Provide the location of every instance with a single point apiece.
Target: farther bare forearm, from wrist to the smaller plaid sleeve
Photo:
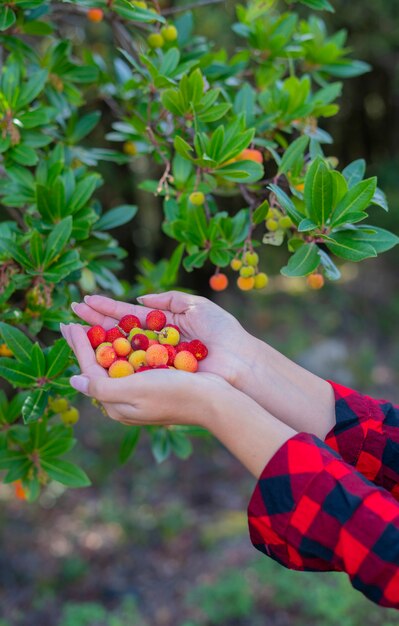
(288, 391)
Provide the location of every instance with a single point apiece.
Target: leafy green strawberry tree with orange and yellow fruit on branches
(211, 125)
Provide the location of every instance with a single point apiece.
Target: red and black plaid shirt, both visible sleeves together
(333, 505)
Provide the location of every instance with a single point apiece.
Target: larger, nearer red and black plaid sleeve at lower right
(312, 511)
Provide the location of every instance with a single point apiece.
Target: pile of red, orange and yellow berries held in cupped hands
(128, 348)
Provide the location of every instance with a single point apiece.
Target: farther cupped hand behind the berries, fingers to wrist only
(230, 349)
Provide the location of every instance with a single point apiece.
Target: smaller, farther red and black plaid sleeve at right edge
(366, 435)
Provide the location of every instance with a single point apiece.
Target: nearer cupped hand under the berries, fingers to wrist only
(154, 397)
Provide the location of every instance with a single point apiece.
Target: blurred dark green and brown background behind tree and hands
(167, 545)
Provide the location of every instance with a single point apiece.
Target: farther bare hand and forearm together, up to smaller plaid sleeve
(295, 396)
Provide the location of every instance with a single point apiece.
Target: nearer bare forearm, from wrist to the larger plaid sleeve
(251, 434)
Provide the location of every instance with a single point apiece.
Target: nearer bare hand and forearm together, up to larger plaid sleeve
(166, 397)
